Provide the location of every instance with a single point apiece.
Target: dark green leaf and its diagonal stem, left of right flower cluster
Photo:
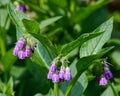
(82, 65)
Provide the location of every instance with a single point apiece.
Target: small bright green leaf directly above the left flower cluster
(31, 25)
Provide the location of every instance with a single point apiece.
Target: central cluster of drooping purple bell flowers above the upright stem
(59, 75)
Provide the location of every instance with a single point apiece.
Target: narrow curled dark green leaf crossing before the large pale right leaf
(67, 48)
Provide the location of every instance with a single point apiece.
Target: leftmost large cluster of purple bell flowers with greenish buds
(22, 49)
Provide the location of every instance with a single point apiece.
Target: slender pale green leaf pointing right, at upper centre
(47, 22)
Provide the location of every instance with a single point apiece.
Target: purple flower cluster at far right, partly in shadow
(107, 74)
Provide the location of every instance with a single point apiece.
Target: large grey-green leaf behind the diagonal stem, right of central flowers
(81, 83)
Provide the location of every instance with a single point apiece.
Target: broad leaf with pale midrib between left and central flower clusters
(43, 57)
